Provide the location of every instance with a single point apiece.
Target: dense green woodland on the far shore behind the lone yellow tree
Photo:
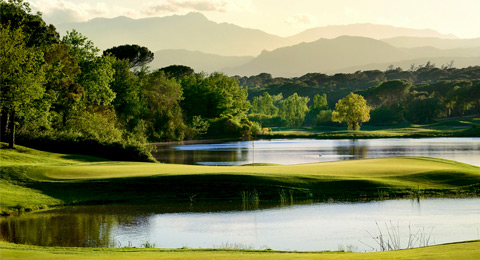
(419, 95)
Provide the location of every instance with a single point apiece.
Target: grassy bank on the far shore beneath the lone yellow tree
(445, 128)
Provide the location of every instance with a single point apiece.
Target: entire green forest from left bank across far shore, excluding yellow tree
(64, 94)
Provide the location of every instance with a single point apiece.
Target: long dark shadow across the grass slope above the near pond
(207, 187)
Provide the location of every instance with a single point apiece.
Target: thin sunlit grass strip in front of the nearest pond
(465, 250)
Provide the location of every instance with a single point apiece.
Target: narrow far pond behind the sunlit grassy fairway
(296, 151)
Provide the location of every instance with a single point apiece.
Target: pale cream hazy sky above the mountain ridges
(282, 17)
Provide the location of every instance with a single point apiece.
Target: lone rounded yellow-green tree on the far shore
(353, 109)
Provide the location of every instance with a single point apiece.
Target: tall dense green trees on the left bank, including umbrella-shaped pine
(62, 92)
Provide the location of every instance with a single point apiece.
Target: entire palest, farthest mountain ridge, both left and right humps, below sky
(195, 32)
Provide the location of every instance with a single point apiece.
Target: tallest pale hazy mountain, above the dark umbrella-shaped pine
(190, 32)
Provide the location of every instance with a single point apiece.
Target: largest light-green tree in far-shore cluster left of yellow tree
(294, 109)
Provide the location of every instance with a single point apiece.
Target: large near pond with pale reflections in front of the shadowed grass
(313, 226)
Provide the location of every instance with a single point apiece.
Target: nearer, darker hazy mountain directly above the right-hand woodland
(335, 55)
